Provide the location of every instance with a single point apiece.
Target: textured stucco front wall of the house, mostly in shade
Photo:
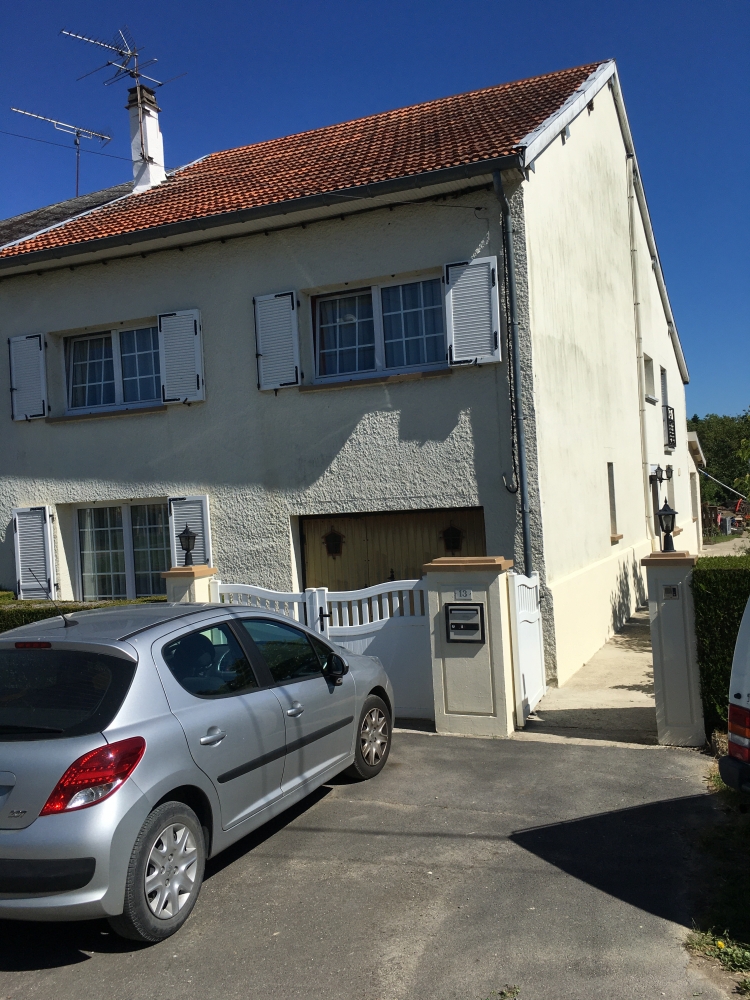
(263, 458)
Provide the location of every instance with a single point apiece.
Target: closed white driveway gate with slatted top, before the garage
(389, 621)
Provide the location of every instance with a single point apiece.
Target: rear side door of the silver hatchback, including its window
(235, 729)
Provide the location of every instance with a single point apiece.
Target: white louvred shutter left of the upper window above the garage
(277, 340)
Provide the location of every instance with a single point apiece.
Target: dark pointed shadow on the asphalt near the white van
(637, 855)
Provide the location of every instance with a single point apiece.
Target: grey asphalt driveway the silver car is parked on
(467, 865)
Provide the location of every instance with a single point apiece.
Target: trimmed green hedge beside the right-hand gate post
(721, 589)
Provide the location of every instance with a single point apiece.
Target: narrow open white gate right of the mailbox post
(527, 641)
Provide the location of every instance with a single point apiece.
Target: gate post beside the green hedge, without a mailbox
(679, 710)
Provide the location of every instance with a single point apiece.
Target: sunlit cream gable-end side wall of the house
(586, 380)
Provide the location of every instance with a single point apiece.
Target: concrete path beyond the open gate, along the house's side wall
(610, 698)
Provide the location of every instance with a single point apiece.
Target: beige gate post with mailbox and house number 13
(472, 663)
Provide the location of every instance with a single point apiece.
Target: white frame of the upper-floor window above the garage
(375, 288)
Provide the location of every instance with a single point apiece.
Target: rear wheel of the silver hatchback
(164, 875)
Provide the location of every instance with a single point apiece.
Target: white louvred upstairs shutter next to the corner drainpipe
(473, 311)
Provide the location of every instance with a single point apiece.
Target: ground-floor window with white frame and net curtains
(124, 549)
